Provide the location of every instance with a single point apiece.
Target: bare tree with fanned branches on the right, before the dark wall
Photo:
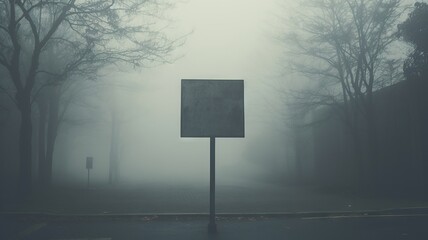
(343, 47)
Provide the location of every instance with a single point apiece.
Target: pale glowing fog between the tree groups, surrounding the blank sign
(226, 40)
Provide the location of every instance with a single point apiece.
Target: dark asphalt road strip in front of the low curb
(299, 228)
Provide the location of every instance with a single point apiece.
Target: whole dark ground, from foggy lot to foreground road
(124, 213)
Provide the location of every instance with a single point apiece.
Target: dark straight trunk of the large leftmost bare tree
(25, 147)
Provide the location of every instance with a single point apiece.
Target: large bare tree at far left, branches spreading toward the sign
(103, 32)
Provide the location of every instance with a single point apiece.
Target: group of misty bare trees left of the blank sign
(51, 51)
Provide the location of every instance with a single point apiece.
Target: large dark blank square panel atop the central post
(212, 108)
